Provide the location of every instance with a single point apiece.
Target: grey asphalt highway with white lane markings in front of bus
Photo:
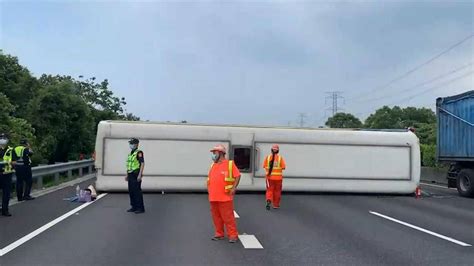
(309, 229)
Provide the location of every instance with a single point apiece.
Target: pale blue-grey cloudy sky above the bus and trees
(250, 62)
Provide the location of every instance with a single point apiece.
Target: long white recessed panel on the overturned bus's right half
(333, 161)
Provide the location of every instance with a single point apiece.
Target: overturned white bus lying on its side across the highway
(177, 157)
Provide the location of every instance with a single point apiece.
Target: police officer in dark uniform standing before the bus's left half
(135, 166)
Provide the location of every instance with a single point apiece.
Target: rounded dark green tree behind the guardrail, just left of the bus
(63, 122)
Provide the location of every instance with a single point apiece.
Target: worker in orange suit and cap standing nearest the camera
(222, 183)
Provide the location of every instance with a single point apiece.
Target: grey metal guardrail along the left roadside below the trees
(57, 169)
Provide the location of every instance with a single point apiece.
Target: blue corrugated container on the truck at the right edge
(455, 127)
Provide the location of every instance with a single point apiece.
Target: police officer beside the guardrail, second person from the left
(23, 171)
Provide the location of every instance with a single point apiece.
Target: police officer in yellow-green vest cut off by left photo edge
(8, 159)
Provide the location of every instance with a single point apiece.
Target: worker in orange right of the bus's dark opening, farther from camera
(274, 165)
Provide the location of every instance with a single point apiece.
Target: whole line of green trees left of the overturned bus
(57, 114)
